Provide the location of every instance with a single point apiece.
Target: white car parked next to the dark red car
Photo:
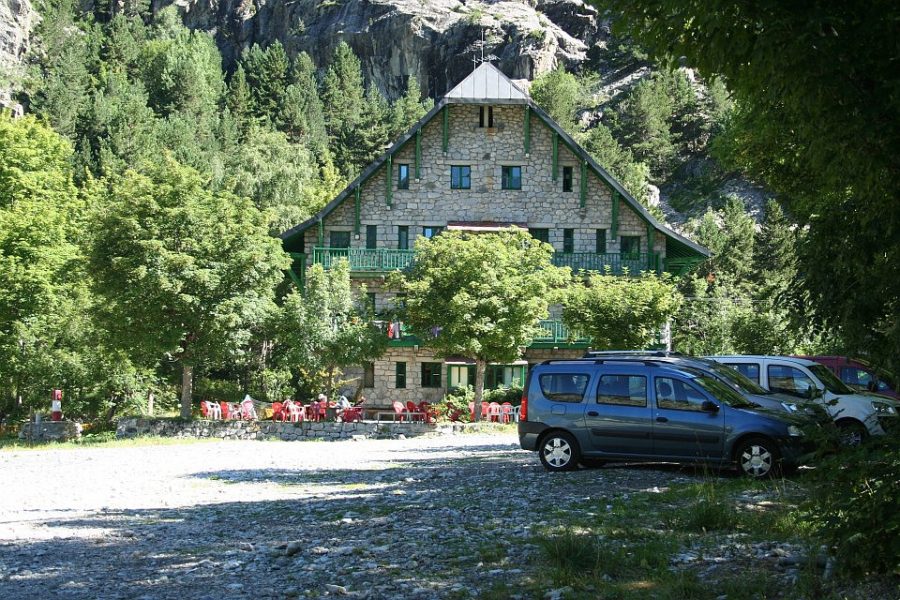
(858, 415)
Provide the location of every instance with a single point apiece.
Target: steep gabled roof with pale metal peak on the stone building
(467, 92)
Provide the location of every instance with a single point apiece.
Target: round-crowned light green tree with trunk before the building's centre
(479, 295)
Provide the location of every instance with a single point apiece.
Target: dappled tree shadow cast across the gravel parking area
(410, 529)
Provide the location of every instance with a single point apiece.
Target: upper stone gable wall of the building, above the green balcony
(430, 201)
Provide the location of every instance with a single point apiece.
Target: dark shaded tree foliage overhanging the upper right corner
(816, 91)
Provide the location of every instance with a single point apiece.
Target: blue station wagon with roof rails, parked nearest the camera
(631, 409)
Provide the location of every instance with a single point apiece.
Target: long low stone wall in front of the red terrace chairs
(269, 430)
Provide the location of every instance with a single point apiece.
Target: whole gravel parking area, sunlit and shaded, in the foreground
(429, 517)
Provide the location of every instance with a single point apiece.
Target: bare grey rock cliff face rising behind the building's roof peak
(435, 40)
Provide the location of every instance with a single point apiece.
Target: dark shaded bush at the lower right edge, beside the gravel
(853, 503)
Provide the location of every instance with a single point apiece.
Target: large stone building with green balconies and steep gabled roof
(485, 157)
